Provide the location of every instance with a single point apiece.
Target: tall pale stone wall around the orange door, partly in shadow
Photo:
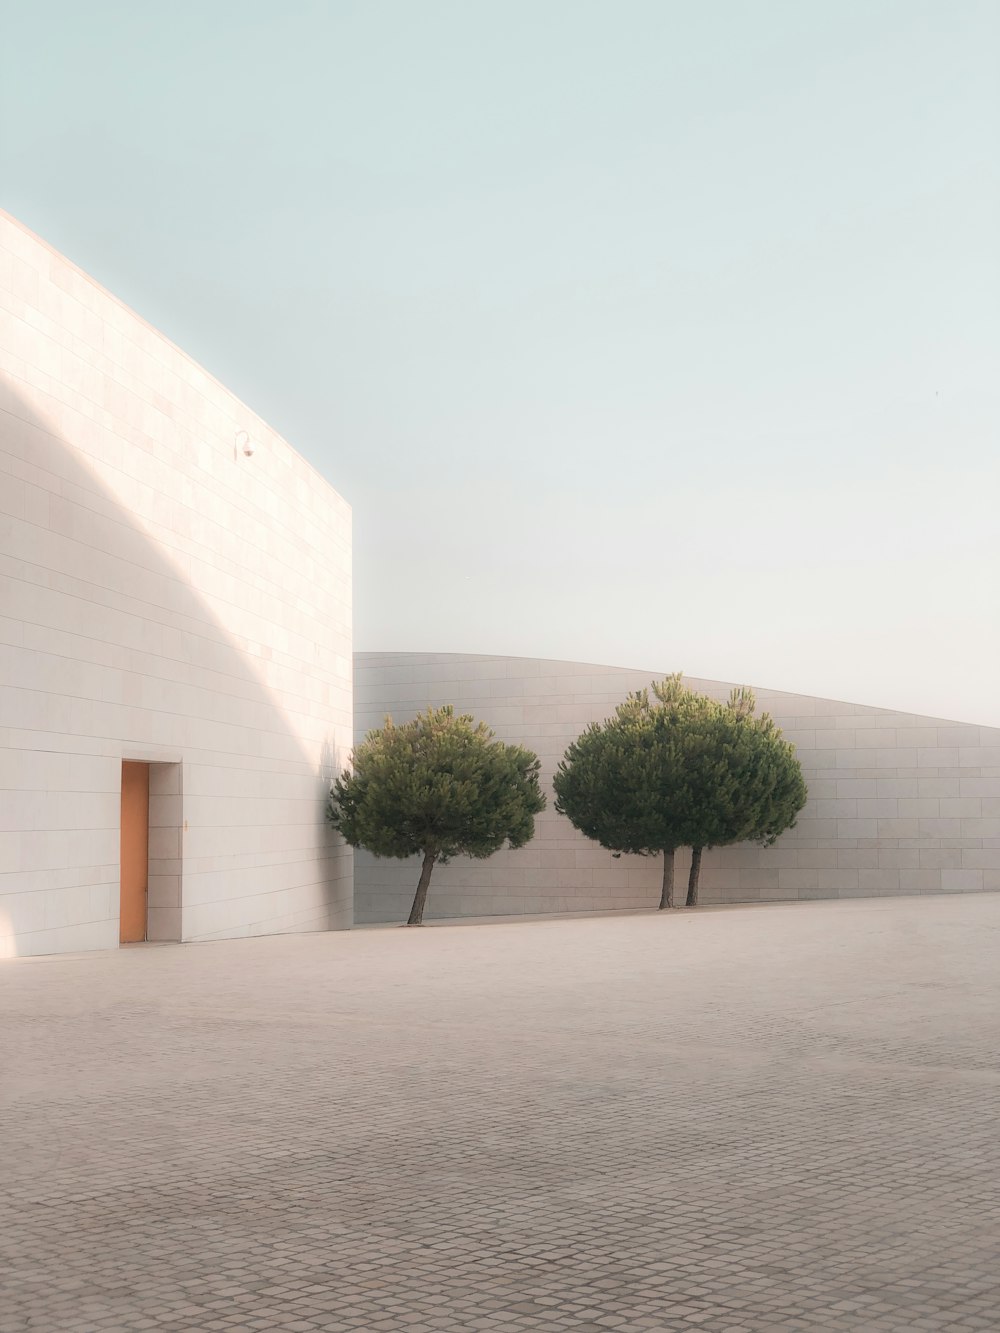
(165, 599)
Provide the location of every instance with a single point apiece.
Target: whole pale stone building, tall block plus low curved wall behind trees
(177, 683)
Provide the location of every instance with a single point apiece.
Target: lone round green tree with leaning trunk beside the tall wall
(441, 787)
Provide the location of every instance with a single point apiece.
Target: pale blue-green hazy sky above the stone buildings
(654, 334)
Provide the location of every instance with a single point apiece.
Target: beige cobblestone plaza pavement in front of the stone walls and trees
(733, 1122)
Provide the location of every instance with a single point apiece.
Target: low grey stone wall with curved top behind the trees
(898, 804)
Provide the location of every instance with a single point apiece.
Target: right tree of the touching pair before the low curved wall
(746, 783)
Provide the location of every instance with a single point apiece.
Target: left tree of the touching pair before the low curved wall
(627, 783)
